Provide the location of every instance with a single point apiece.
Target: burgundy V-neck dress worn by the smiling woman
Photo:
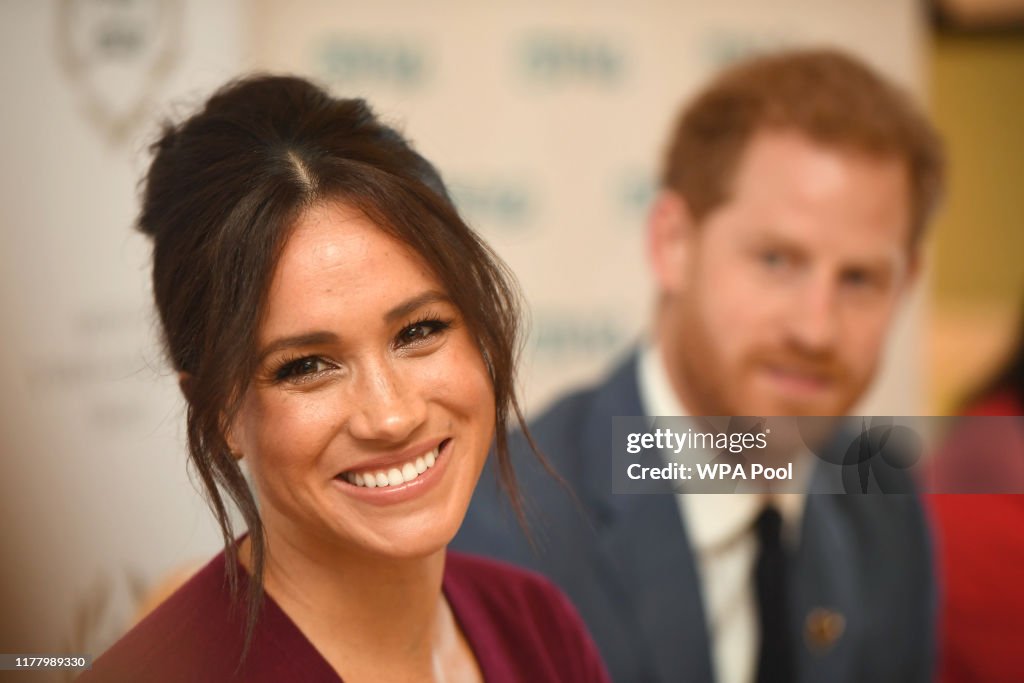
(520, 626)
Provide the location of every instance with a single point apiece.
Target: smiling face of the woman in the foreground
(372, 410)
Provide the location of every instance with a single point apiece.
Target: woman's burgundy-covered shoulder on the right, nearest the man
(521, 625)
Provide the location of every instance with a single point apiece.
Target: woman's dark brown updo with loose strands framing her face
(221, 198)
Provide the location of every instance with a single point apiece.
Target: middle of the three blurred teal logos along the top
(563, 59)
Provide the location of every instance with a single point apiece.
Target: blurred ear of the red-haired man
(670, 238)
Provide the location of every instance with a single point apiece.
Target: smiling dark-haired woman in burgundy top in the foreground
(340, 332)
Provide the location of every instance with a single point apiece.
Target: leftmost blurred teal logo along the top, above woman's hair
(348, 60)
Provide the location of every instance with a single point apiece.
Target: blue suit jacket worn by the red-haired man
(628, 566)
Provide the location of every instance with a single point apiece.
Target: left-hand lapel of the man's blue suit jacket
(648, 556)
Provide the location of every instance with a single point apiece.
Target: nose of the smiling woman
(388, 405)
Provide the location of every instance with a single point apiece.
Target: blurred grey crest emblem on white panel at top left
(117, 54)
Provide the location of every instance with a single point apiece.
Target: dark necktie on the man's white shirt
(776, 658)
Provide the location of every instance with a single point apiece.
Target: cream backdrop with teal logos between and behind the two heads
(548, 120)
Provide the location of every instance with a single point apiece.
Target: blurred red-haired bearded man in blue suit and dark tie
(794, 199)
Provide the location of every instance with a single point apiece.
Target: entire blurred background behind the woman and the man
(547, 119)
